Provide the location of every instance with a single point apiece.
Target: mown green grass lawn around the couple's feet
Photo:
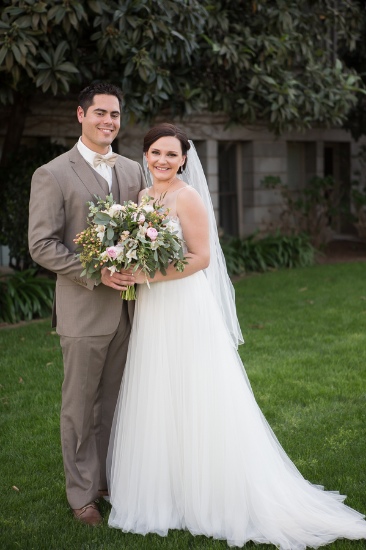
(305, 355)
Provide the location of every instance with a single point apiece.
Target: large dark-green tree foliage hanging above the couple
(282, 63)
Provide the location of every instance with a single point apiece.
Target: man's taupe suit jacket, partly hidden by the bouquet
(58, 211)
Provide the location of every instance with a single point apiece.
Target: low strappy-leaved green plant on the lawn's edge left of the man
(23, 296)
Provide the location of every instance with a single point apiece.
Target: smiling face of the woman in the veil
(164, 158)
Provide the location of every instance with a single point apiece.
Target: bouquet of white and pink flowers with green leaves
(128, 236)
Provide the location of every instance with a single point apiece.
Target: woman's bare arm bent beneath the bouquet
(193, 218)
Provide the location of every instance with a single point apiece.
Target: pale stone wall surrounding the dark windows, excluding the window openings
(259, 153)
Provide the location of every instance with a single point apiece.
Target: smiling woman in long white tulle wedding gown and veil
(190, 448)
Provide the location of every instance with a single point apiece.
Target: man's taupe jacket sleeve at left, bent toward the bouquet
(47, 227)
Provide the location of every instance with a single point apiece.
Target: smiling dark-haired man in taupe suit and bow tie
(92, 321)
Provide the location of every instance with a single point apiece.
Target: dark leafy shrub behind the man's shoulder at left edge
(14, 199)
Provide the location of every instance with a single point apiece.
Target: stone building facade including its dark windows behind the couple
(235, 159)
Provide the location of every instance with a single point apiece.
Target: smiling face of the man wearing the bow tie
(100, 123)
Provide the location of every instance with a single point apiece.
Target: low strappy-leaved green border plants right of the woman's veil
(270, 252)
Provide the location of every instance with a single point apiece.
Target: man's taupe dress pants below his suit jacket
(93, 368)
